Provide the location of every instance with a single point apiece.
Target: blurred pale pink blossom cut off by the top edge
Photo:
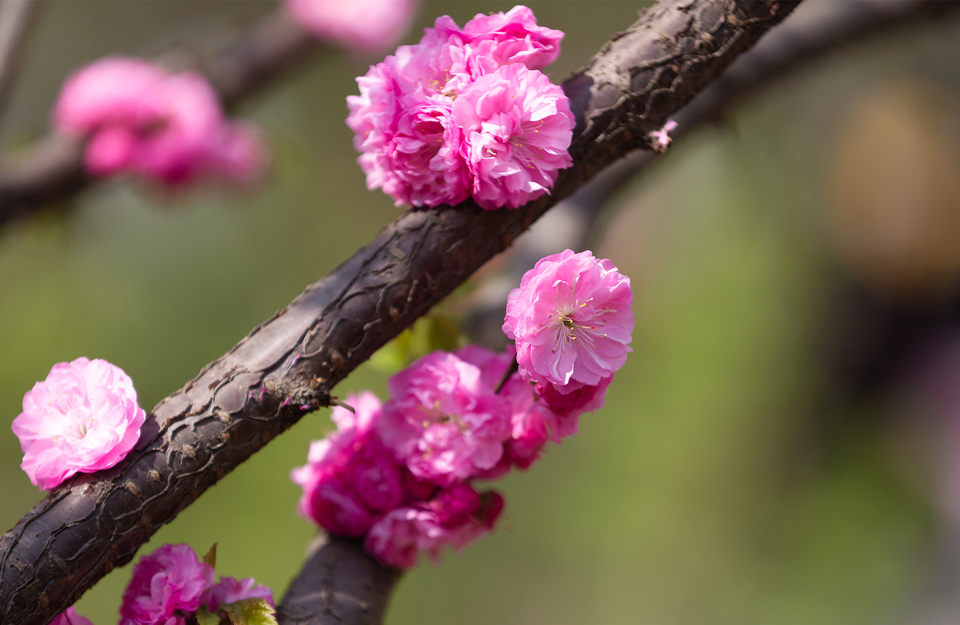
(364, 25)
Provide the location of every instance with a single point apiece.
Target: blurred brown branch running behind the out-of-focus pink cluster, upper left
(52, 170)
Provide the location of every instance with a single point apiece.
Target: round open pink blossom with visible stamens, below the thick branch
(571, 319)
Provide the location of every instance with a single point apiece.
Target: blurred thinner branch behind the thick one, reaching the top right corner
(814, 31)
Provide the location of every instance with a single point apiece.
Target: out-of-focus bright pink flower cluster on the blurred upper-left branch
(165, 127)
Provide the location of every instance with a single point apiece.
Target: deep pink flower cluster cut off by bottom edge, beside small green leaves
(170, 585)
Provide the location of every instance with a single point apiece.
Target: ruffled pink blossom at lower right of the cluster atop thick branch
(517, 127)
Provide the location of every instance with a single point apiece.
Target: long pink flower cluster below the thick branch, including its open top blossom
(401, 473)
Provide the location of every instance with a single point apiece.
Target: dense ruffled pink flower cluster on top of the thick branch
(464, 112)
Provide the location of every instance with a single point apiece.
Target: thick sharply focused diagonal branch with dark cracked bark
(287, 365)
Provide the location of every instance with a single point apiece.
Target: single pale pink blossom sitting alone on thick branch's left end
(83, 418)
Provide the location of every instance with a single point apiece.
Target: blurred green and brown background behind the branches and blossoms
(778, 449)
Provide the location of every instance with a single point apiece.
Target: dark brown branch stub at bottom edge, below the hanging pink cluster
(339, 583)
